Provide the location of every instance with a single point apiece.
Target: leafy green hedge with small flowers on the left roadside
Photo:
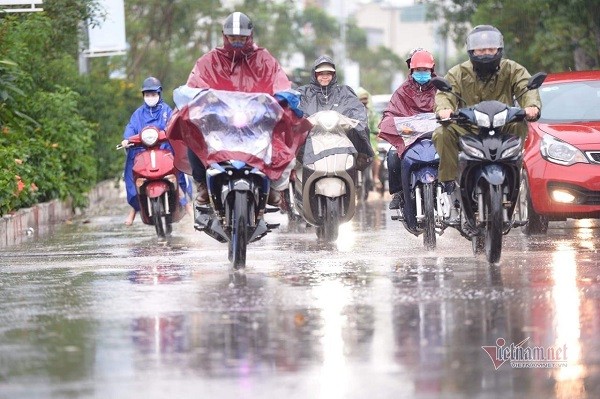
(57, 129)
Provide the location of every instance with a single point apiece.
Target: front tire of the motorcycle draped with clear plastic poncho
(239, 227)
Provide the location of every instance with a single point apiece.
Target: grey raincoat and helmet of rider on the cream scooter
(340, 98)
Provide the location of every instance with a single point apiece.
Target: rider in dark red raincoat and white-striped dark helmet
(241, 65)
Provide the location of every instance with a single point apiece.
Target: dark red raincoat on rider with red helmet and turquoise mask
(409, 99)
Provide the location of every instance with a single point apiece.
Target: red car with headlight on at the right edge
(561, 166)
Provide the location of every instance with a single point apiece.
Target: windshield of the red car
(570, 102)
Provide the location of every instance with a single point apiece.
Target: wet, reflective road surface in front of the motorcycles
(103, 311)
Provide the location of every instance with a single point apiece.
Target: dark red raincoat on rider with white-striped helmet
(248, 69)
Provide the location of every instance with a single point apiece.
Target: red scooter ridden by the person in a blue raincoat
(156, 181)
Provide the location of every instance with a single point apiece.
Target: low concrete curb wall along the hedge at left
(28, 223)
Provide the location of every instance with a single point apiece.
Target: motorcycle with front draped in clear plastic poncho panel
(232, 132)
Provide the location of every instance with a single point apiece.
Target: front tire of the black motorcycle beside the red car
(494, 223)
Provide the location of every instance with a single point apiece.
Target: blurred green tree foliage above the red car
(553, 35)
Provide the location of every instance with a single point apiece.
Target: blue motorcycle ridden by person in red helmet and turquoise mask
(421, 211)
